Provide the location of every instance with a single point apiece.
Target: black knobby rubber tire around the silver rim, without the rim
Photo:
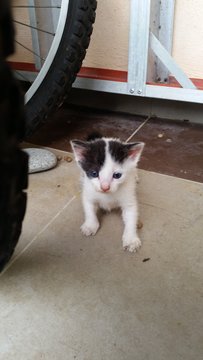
(65, 65)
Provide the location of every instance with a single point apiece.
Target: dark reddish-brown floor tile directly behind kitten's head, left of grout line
(77, 123)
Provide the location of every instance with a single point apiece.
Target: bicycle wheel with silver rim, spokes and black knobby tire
(63, 61)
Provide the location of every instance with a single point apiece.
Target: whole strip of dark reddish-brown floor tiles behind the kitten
(172, 147)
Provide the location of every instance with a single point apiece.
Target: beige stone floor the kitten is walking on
(67, 297)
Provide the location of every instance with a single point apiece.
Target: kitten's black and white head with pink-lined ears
(106, 161)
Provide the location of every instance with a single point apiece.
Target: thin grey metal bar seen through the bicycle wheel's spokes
(34, 33)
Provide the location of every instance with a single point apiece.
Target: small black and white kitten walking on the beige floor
(109, 181)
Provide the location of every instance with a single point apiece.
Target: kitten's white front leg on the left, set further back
(91, 224)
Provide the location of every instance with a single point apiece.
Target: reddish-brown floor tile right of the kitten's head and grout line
(173, 148)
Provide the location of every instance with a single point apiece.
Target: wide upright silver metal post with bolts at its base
(138, 46)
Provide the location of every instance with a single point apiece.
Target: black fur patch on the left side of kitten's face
(94, 156)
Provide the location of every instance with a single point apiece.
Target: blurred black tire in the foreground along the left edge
(13, 161)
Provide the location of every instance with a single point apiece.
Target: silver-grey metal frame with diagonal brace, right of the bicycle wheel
(148, 40)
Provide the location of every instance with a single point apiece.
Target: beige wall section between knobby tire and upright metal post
(109, 43)
